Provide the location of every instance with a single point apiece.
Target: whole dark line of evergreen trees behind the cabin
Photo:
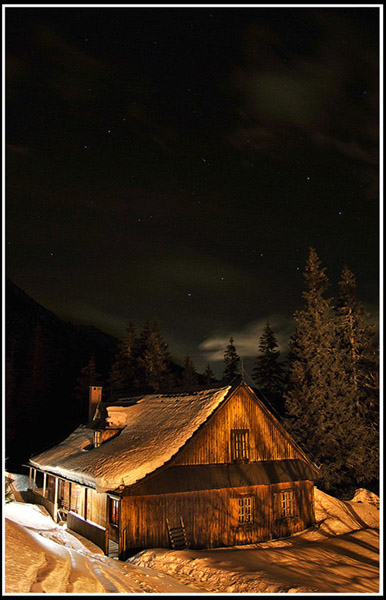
(326, 392)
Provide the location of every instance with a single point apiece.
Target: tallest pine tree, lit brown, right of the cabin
(316, 412)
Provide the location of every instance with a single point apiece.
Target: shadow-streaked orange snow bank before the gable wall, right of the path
(339, 555)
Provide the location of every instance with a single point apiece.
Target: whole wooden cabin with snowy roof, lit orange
(202, 469)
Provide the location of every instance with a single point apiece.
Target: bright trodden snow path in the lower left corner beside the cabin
(36, 564)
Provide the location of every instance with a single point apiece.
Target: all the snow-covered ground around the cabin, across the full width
(338, 555)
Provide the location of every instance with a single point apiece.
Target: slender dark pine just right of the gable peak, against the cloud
(268, 372)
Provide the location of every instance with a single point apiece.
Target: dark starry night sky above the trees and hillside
(180, 162)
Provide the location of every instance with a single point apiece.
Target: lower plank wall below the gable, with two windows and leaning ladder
(211, 517)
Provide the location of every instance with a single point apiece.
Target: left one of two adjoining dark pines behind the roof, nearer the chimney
(122, 377)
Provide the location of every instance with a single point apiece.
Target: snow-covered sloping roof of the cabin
(155, 427)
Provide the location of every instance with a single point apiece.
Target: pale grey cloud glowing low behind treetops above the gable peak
(247, 339)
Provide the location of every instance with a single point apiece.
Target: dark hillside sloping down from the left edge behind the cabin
(44, 357)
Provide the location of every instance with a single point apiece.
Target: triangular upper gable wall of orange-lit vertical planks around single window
(212, 444)
